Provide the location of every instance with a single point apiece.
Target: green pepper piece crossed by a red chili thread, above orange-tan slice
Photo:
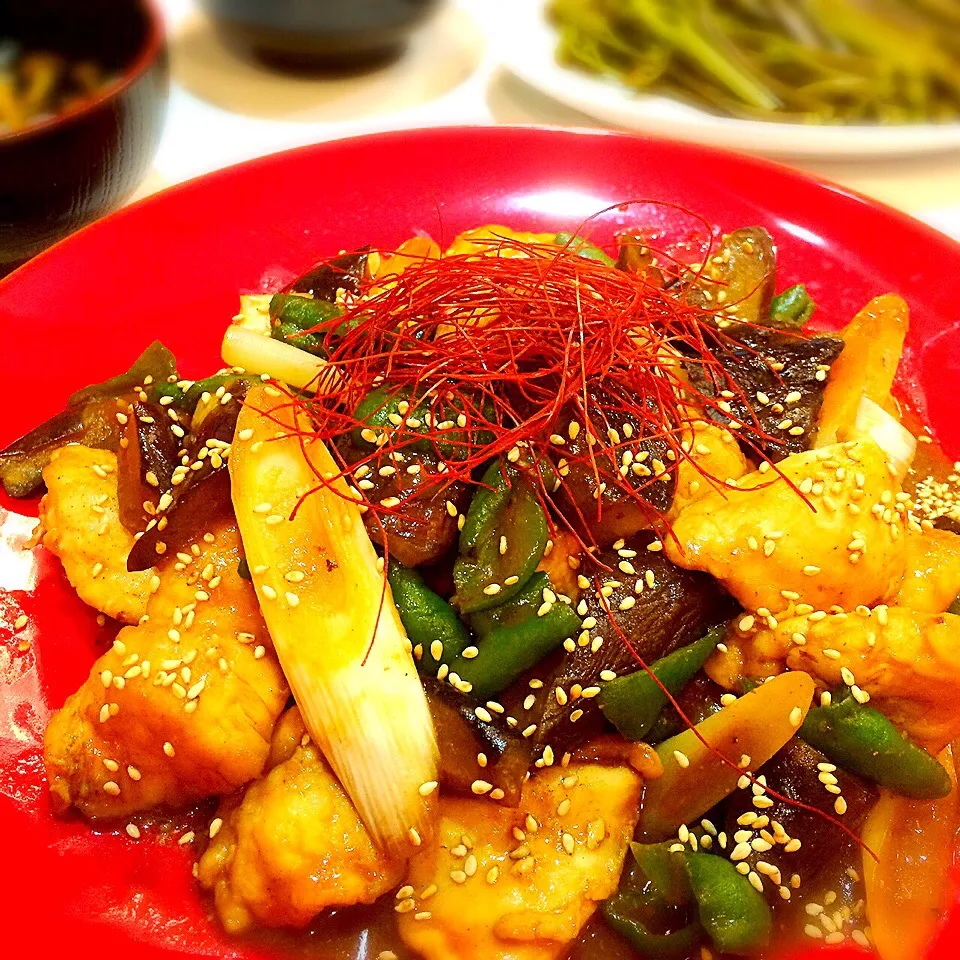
(633, 702)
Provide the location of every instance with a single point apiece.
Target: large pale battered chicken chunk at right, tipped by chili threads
(827, 529)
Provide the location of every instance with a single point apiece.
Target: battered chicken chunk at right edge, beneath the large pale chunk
(906, 661)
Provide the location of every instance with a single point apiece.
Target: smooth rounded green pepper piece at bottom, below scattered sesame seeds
(734, 915)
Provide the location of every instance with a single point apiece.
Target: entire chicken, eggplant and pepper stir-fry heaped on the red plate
(526, 600)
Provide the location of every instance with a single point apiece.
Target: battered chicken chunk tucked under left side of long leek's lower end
(293, 845)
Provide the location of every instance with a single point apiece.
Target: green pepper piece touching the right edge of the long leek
(426, 617)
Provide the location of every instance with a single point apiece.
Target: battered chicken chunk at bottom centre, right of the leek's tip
(520, 884)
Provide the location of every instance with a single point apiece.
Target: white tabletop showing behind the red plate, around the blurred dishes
(225, 108)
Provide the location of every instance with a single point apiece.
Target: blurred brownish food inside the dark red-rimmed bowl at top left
(35, 85)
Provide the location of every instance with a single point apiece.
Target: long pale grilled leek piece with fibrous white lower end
(332, 618)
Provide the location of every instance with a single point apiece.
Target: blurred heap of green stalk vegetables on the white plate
(813, 61)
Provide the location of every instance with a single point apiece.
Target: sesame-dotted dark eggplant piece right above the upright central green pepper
(629, 501)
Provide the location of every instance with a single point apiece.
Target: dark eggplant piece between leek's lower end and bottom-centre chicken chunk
(462, 736)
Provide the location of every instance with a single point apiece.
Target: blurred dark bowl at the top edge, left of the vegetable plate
(332, 33)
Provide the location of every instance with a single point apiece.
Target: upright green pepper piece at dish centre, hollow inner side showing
(503, 539)
